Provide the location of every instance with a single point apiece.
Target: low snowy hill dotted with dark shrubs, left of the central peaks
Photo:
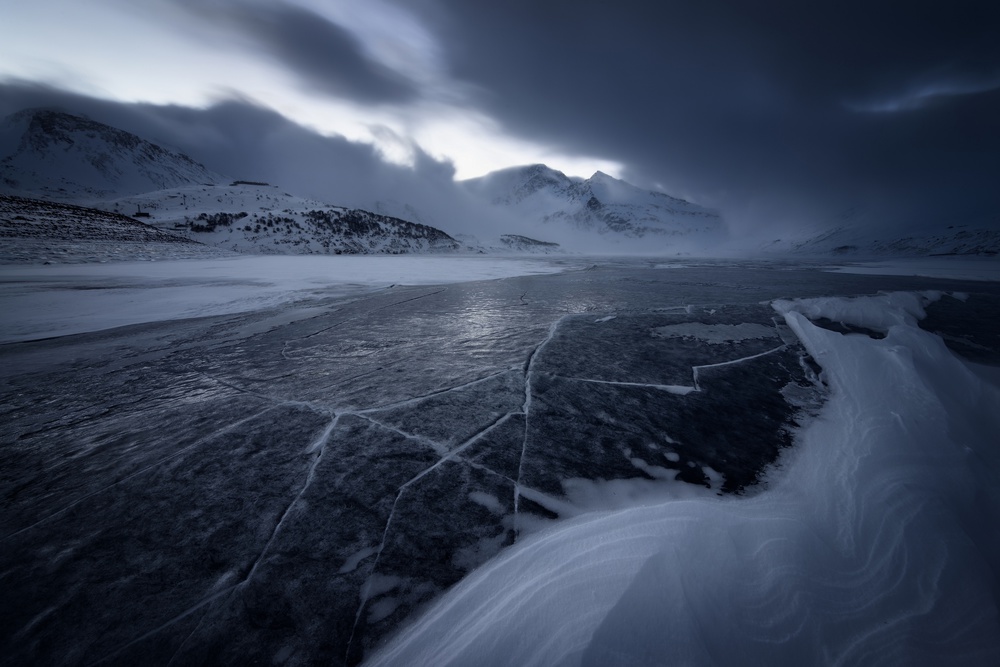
(257, 218)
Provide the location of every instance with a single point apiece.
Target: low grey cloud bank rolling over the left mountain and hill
(243, 140)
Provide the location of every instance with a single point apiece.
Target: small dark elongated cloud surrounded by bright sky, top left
(324, 55)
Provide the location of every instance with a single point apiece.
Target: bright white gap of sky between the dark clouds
(194, 54)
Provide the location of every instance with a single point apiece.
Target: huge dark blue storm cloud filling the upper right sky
(771, 110)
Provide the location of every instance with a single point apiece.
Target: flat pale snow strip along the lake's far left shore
(57, 300)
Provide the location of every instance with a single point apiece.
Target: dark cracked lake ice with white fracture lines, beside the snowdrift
(293, 489)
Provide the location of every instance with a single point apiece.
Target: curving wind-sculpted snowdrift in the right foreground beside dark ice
(875, 544)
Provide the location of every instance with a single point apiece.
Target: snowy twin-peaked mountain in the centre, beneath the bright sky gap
(600, 205)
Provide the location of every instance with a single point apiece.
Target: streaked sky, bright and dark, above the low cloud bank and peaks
(781, 114)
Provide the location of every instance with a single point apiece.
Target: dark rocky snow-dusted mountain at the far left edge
(57, 155)
